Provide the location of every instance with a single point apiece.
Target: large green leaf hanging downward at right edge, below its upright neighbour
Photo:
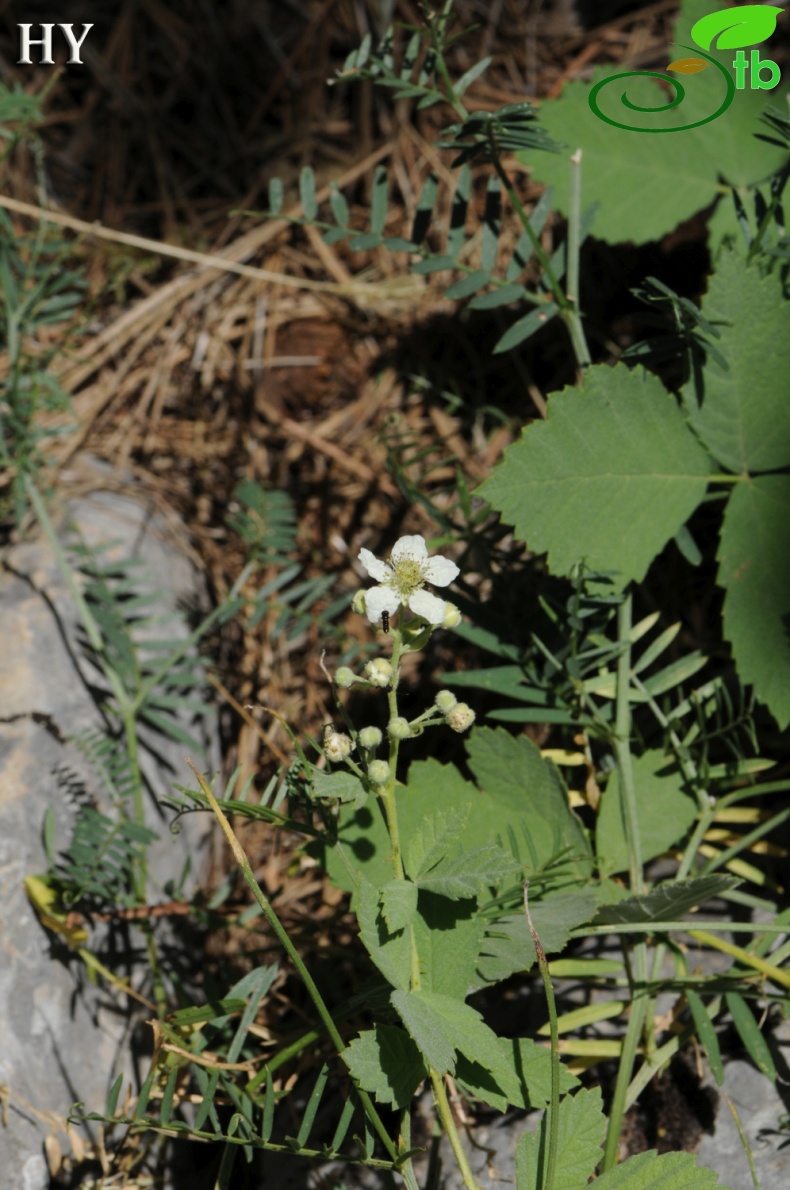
(755, 568)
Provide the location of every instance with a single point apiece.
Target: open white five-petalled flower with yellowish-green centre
(403, 579)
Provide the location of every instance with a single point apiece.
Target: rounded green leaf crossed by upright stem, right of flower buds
(666, 813)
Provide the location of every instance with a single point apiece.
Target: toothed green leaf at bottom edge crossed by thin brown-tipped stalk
(582, 1128)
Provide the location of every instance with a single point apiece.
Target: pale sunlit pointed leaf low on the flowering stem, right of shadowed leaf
(441, 1025)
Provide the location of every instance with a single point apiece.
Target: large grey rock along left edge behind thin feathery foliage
(62, 1038)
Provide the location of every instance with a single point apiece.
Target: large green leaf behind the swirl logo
(647, 184)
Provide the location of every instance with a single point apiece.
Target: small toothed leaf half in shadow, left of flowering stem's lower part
(386, 1062)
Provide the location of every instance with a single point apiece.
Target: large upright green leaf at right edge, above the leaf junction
(745, 415)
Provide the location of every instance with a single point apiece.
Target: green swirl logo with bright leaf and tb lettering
(747, 26)
